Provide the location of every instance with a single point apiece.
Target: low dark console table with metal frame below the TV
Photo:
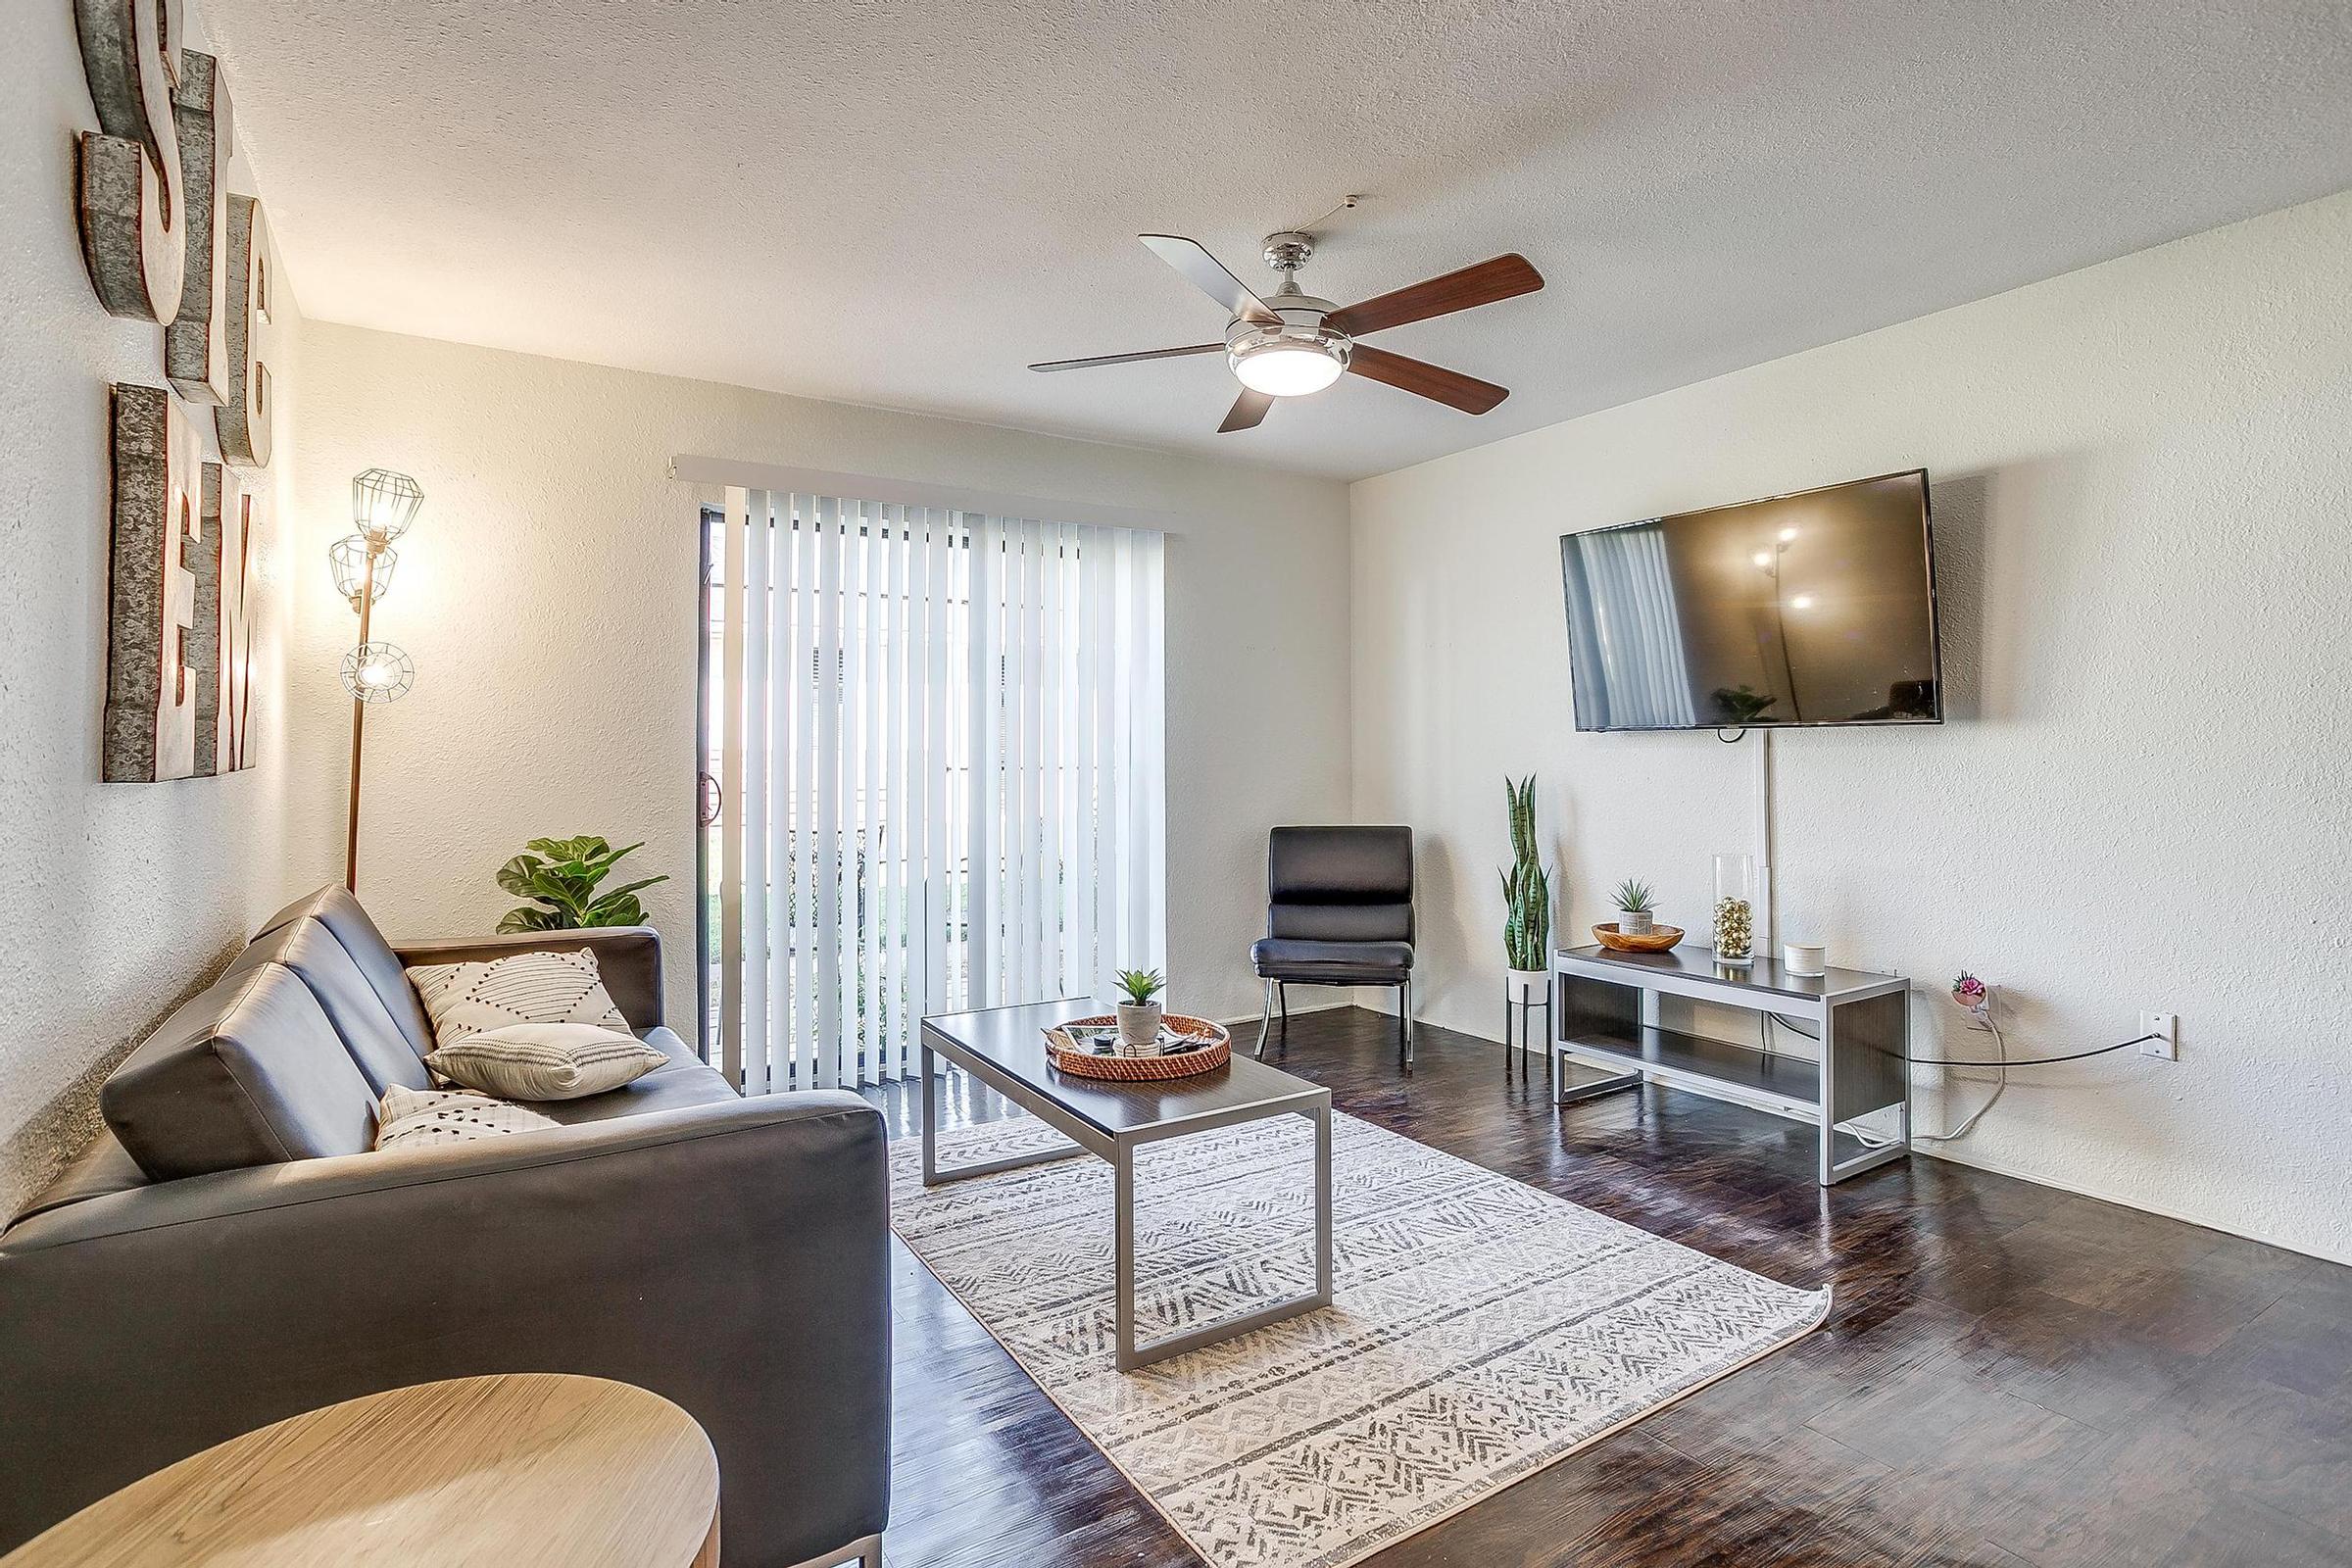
(1605, 1014)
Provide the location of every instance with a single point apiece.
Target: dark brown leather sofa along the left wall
(229, 1252)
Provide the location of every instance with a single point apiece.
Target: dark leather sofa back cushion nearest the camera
(248, 1073)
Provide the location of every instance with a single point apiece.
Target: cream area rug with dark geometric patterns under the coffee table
(1481, 1332)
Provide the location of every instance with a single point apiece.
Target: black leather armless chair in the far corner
(1339, 911)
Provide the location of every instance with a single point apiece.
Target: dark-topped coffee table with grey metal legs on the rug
(1005, 1050)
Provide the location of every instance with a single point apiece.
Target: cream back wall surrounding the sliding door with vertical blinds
(549, 598)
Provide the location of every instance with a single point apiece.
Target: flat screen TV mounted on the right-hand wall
(1793, 610)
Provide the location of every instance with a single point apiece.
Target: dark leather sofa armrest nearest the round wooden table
(733, 1259)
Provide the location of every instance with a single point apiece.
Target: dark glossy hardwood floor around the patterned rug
(2010, 1374)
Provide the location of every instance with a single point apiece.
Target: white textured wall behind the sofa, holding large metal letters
(121, 897)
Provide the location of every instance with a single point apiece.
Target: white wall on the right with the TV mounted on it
(2144, 502)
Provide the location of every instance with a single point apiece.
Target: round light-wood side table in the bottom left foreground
(476, 1473)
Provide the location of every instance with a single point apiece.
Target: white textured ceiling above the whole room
(907, 203)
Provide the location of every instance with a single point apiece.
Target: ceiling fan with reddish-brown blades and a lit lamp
(1299, 344)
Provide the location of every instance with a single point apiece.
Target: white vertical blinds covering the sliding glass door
(942, 782)
